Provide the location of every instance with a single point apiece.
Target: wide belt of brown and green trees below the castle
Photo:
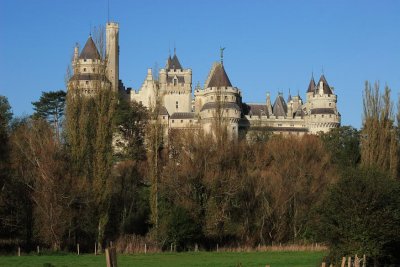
(105, 172)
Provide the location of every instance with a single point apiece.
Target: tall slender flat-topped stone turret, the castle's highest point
(112, 54)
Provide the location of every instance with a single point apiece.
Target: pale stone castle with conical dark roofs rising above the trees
(181, 108)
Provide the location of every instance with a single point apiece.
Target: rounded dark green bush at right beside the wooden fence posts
(361, 215)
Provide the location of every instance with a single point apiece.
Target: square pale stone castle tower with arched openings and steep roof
(175, 85)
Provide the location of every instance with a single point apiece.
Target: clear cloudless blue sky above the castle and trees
(270, 45)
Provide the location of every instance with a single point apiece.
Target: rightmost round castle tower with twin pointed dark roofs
(322, 113)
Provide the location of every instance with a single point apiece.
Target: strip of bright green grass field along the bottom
(221, 259)
